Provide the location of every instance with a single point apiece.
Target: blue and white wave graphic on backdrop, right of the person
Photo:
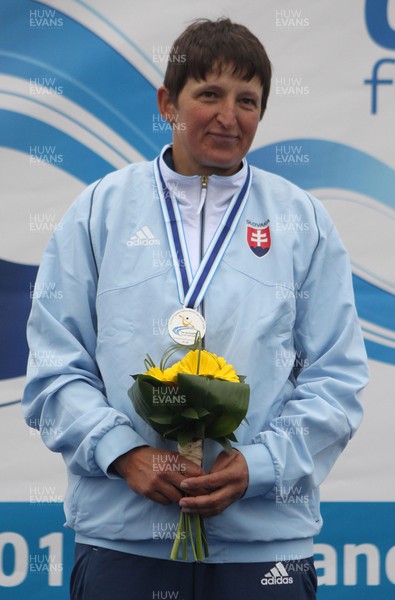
(357, 180)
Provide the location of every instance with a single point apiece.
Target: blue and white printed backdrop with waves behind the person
(77, 100)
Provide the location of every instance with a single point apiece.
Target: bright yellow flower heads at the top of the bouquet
(209, 365)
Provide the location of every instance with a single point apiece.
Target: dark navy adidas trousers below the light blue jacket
(101, 574)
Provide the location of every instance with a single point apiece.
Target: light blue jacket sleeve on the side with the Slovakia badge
(323, 409)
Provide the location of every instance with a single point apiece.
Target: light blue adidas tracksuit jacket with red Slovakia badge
(286, 320)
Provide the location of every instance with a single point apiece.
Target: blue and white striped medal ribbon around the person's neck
(192, 290)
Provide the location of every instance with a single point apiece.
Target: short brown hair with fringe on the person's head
(206, 45)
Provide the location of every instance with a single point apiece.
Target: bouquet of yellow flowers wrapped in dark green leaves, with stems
(198, 397)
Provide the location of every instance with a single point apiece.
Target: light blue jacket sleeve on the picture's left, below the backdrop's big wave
(64, 396)
